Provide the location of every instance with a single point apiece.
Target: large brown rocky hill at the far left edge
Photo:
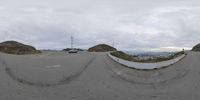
(13, 47)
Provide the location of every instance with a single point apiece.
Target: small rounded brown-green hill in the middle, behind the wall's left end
(102, 48)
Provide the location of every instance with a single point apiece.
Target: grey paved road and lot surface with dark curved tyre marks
(94, 76)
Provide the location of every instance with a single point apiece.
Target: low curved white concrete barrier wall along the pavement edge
(146, 66)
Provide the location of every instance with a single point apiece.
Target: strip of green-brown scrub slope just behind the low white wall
(134, 58)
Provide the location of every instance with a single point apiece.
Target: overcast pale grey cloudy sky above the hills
(129, 24)
